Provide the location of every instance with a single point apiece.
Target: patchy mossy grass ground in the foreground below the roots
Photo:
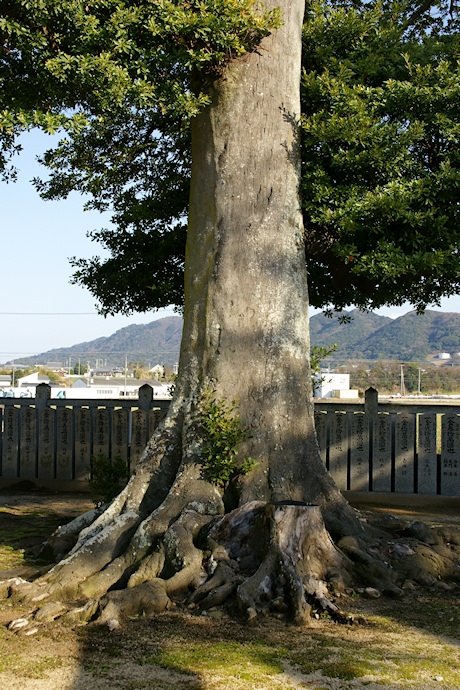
(175, 651)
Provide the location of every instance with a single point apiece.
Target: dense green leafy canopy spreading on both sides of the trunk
(380, 127)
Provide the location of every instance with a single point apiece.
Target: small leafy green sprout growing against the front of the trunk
(223, 432)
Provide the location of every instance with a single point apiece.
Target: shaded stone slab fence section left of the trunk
(52, 442)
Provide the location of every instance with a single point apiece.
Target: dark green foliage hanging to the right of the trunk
(381, 166)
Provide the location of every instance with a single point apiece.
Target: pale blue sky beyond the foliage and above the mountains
(40, 309)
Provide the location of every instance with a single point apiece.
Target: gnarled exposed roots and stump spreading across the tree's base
(262, 558)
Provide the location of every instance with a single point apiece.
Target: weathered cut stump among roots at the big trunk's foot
(293, 559)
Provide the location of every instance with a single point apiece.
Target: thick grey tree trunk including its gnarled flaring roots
(245, 336)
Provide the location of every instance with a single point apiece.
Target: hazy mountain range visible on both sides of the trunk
(411, 337)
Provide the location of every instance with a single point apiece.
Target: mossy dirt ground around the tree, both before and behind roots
(408, 643)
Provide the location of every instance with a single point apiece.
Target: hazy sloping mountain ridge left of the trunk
(157, 342)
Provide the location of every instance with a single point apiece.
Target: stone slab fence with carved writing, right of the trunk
(392, 446)
